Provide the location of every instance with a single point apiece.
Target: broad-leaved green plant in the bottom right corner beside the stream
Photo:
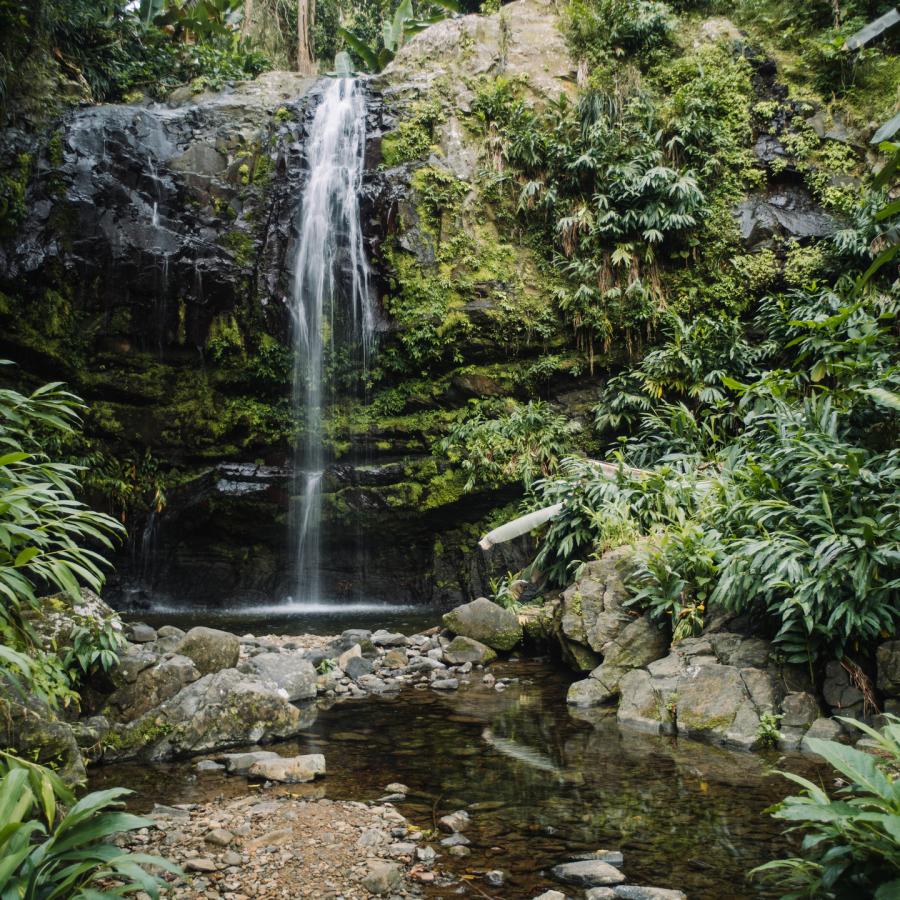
(851, 845)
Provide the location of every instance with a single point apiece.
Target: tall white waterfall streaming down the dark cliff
(331, 302)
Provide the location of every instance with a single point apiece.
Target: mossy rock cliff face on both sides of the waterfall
(146, 261)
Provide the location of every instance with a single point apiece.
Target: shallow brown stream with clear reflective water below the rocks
(541, 782)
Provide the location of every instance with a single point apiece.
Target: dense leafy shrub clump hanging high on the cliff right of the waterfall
(596, 189)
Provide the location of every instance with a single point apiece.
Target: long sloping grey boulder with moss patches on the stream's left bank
(220, 710)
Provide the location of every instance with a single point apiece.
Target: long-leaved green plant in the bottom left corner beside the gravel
(54, 846)
